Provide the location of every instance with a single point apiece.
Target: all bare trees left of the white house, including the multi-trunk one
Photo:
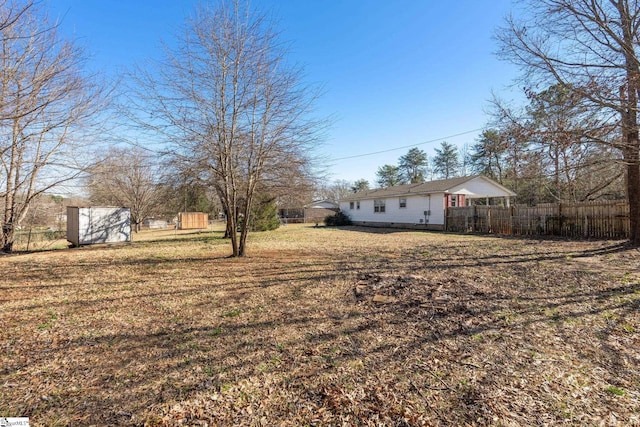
(230, 117)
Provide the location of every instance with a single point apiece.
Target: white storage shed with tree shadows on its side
(90, 225)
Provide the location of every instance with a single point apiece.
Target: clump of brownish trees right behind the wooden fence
(545, 150)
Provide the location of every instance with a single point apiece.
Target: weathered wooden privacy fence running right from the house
(600, 219)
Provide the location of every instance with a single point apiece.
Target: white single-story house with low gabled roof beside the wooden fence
(420, 205)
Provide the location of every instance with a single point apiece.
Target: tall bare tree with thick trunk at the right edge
(588, 46)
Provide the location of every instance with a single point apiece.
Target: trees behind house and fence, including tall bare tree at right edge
(576, 137)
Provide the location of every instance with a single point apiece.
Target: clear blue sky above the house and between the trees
(396, 73)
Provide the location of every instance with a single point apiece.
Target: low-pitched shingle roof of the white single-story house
(439, 186)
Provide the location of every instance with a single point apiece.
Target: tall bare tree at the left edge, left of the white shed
(46, 103)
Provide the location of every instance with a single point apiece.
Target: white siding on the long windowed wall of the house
(412, 214)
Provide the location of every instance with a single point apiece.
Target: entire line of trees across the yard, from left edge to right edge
(231, 120)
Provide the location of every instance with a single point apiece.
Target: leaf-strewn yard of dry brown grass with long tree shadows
(323, 326)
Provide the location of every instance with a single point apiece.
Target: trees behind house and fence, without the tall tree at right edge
(552, 149)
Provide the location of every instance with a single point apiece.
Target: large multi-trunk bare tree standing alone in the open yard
(231, 105)
